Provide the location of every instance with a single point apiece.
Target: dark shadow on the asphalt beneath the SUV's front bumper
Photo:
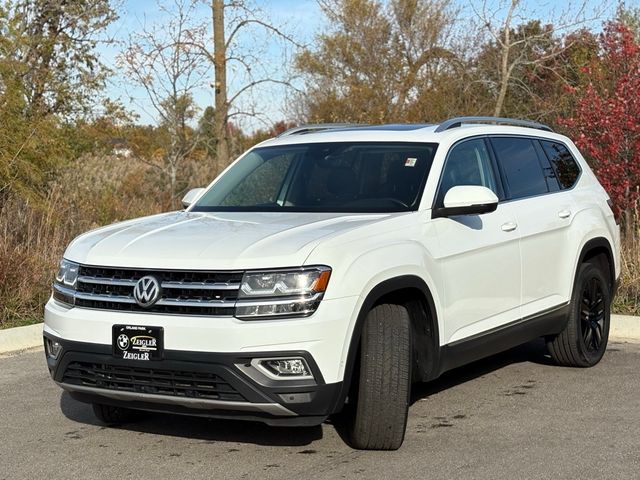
(208, 430)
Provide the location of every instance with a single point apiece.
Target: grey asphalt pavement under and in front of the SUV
(512, 416)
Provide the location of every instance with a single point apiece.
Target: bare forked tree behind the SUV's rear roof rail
(518, 50)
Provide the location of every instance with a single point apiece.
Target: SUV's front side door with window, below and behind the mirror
(479, 254)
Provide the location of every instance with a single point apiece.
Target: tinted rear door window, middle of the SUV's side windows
(520, 165)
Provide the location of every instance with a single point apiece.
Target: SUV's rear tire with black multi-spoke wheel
(584, 340)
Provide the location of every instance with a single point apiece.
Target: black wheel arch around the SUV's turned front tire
(414, 293)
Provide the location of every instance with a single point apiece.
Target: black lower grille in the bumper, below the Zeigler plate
(172, 383)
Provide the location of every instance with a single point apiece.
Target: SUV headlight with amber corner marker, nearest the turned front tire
(282, 293)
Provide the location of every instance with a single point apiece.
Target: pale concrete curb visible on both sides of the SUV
(623, 327)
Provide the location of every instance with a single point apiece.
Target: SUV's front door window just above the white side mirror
(468, 163)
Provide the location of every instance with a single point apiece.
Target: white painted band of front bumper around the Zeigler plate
(324, 334)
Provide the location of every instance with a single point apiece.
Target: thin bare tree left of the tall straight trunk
(161, 59)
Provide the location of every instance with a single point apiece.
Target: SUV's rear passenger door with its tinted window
(544, 210)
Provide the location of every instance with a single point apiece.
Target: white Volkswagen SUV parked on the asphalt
(328, 269)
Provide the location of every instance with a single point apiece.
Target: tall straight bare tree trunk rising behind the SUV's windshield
(220, 87)
